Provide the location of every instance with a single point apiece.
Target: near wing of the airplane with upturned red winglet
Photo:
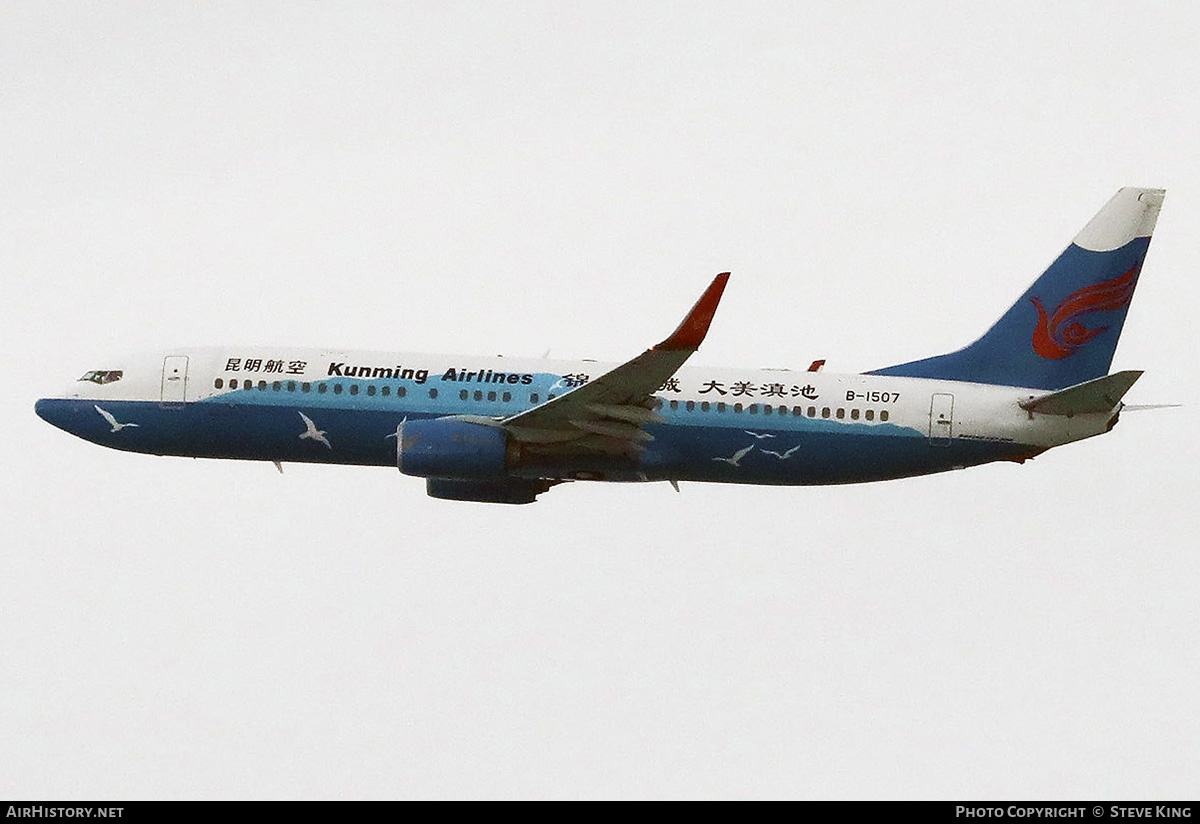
(607, 414)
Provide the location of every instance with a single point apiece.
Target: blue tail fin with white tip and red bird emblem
(1065, 329)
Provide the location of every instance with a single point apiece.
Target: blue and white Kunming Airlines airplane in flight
(500, 430)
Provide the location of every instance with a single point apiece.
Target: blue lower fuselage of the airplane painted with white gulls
(725, 447)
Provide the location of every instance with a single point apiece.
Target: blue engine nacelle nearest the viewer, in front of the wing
(452, 449)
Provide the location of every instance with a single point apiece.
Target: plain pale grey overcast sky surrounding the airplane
(883, 179)
